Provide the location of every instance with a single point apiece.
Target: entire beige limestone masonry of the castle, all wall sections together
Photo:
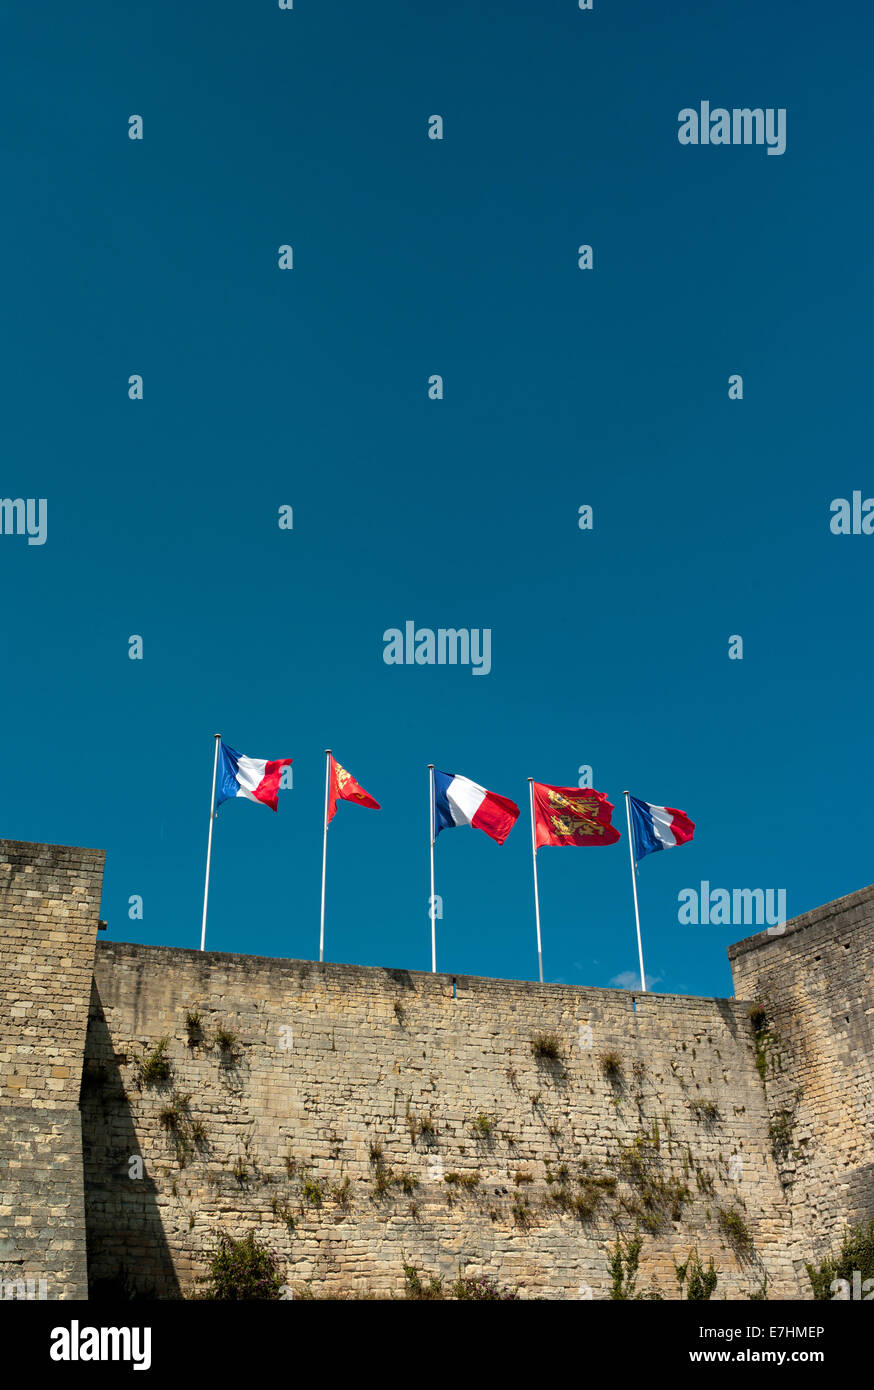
(356, 1118)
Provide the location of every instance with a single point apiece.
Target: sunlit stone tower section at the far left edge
(49, 910)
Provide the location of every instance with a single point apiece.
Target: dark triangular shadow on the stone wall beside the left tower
(127, 1250)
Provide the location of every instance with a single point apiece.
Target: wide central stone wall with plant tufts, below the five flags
(361, 1117)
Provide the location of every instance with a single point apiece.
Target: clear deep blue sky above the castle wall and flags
(562, 387)
